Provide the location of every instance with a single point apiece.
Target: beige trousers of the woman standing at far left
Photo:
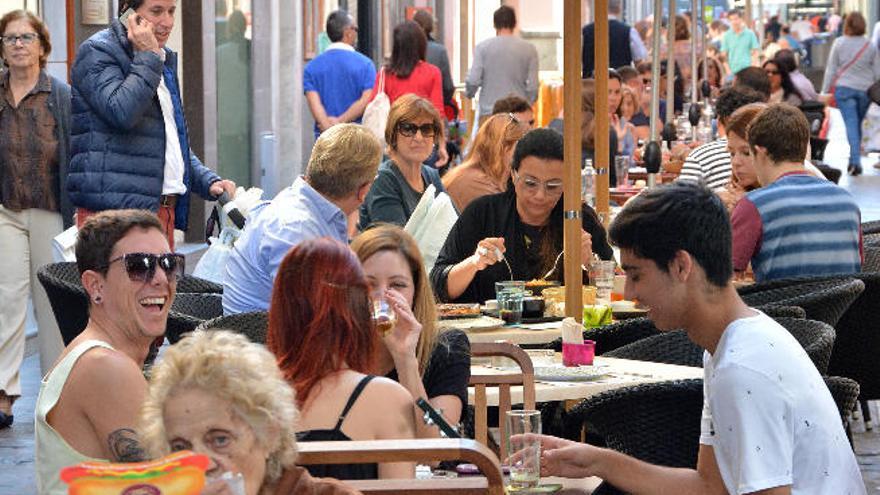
(25, 245)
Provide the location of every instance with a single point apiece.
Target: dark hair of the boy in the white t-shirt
(680, 216)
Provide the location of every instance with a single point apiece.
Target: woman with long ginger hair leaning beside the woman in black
(486, 170)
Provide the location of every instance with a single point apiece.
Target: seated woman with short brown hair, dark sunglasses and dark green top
(414, 128)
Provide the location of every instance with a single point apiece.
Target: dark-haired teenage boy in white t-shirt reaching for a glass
(769, 423)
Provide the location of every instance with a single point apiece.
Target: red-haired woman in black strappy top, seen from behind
(321, 331)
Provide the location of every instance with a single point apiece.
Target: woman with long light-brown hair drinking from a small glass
(431, 363)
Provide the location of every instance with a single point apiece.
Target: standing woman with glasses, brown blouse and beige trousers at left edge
(34, 129)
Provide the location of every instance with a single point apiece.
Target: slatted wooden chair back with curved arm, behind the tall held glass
(525, 378)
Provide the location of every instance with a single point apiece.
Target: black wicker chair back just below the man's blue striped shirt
(824, 299)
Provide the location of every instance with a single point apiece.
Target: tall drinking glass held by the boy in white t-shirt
(524, 452)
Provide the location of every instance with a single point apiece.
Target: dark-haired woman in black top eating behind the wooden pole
(515, 235)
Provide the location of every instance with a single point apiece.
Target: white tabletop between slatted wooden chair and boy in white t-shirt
(621, 373)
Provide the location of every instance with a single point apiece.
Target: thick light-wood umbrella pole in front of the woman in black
(572, 151)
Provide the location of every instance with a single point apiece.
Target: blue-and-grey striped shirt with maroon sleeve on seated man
(797, 226)
